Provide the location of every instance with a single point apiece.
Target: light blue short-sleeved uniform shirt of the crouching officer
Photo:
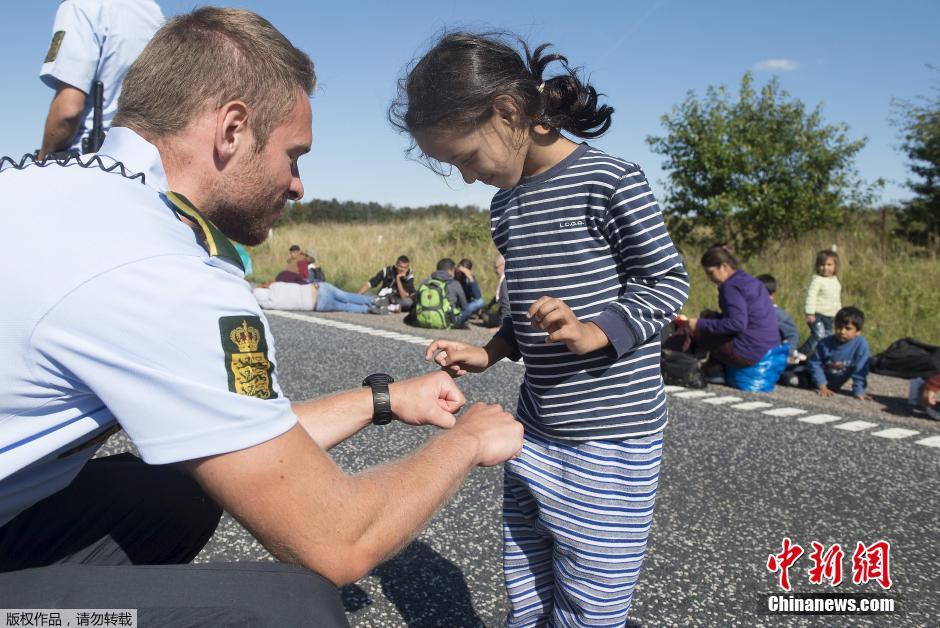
(115, 313)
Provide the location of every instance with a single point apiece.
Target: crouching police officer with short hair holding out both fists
(153, 329)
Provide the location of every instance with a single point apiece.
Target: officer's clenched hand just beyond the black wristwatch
(431, 399)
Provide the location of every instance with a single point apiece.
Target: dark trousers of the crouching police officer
(121, 535)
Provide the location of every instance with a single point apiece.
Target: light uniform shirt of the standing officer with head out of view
(98, 40)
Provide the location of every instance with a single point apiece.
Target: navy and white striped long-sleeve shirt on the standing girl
(588, 231)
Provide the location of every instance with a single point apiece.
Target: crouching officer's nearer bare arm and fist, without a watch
(304, 509)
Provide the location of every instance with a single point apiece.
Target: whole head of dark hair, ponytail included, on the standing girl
(456, 84)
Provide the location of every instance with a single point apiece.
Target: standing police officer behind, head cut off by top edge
(92, 40)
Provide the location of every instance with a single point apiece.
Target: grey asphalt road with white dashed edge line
(735, 482)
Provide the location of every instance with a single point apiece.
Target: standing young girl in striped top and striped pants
(592, 276)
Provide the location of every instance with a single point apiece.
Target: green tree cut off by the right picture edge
(919, 123)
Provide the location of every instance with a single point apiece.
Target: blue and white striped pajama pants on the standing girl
(576, 518)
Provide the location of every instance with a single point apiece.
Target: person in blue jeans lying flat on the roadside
(313, 297)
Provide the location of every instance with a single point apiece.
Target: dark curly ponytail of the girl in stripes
(567, 103)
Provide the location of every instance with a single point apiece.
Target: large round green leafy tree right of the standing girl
(755, 170)
